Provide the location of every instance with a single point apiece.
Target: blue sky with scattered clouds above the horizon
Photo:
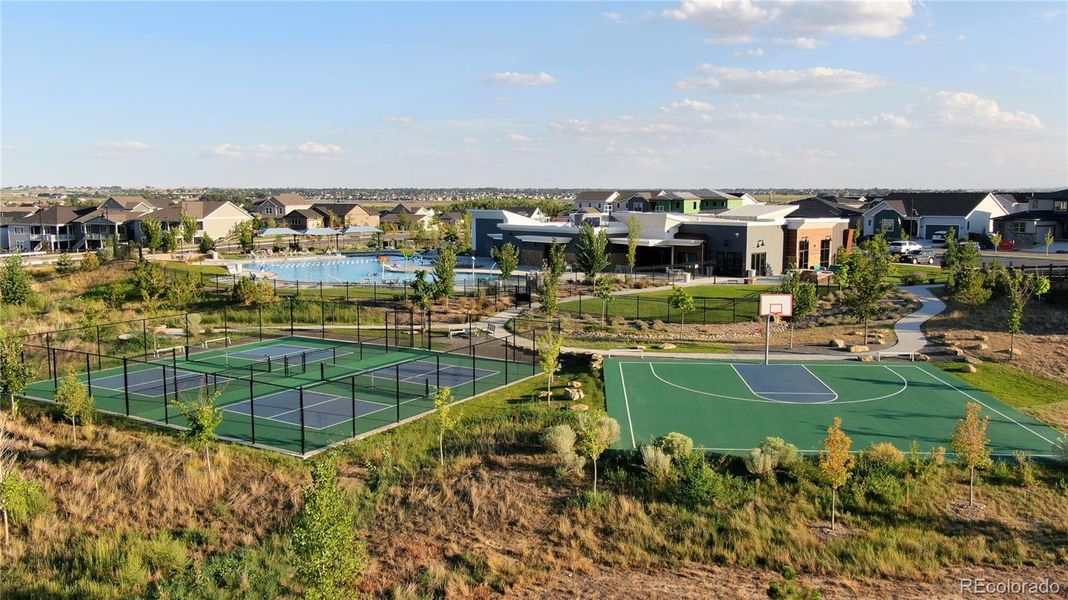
(596, 94)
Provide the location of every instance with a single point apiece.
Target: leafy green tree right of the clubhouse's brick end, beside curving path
(865, 274)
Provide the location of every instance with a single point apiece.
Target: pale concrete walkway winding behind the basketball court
(909, 331)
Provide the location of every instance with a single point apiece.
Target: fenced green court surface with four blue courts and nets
(311, 394)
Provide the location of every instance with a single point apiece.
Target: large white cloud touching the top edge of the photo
(833, 18)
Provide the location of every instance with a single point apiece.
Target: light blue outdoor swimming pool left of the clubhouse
(353, 270)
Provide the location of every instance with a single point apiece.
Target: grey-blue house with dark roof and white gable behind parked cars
(921, 215)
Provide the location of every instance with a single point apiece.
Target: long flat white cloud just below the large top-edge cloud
(813, 81)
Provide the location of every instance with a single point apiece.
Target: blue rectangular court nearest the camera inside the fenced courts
(321, 410)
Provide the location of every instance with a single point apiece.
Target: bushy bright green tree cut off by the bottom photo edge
(329, 558)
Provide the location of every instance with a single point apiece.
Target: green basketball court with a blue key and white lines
(732, 408)
